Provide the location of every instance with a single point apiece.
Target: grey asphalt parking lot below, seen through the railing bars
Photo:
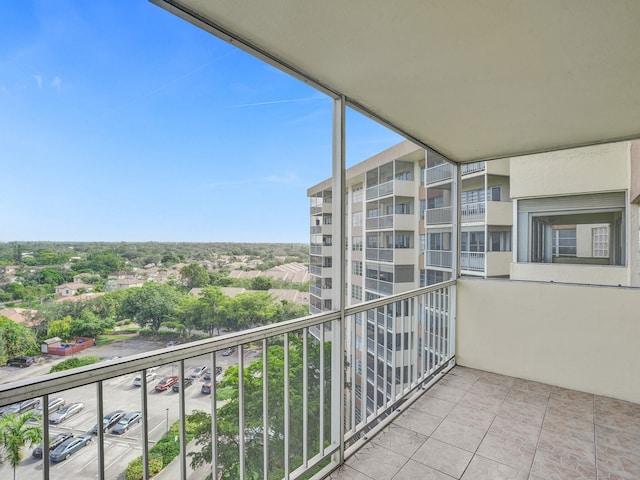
(119, 394)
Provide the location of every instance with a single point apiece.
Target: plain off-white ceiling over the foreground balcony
(473, 79)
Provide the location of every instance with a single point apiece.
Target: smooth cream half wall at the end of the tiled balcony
(580, 337)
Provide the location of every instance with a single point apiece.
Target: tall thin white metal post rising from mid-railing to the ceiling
(338, 253)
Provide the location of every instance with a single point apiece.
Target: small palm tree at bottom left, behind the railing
(15, 433)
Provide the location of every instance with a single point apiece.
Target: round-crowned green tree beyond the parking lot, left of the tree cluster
(150, 305)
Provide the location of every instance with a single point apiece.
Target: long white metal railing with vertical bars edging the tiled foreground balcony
(315, 373)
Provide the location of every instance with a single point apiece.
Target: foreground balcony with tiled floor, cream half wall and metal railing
(432, 420)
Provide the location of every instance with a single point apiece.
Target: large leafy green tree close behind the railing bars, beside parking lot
(227, 424)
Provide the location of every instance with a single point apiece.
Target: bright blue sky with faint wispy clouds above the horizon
(122, 122)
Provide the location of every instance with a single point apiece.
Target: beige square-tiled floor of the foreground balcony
(476, 425)
